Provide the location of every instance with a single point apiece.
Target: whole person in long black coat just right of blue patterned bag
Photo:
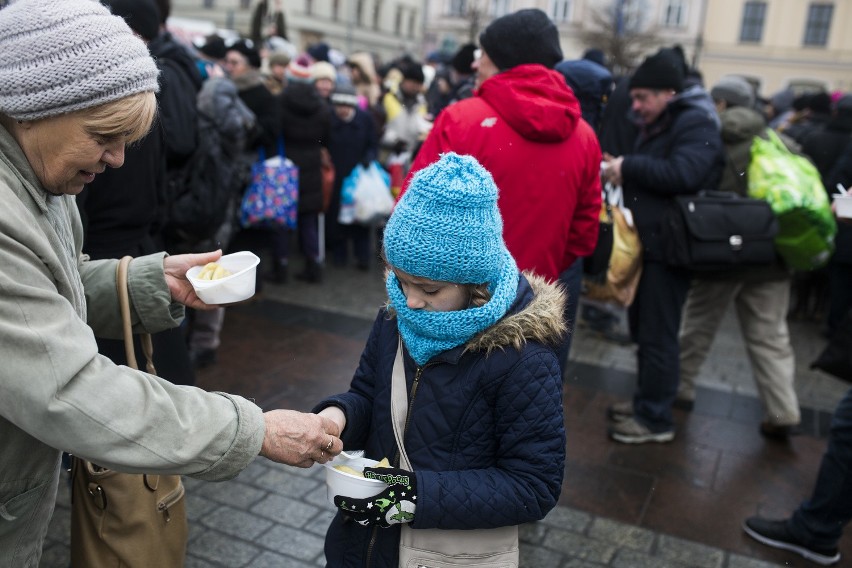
(306, 128)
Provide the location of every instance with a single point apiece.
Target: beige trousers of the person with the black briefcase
(761, 309)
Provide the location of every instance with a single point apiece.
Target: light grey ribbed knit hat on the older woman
(59, 56)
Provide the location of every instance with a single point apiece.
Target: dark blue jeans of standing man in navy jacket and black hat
(654, 318)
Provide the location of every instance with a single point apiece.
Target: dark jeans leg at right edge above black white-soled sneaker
(819, 521)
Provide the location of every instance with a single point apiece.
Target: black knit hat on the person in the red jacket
(525, 36)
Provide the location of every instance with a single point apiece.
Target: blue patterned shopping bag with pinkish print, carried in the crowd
(272, 198)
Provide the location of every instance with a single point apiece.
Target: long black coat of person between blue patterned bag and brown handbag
(306, 127)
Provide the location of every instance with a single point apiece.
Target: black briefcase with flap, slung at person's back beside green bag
(715, 230)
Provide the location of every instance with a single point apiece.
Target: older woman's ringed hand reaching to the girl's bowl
(299, 439)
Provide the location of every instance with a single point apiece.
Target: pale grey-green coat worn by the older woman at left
(58, 394)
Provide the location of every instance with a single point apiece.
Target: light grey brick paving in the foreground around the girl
(254, 521)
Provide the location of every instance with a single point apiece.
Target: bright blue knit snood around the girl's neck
(428, 333)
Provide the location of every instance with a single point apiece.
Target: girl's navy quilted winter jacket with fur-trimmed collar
(486, 437)
